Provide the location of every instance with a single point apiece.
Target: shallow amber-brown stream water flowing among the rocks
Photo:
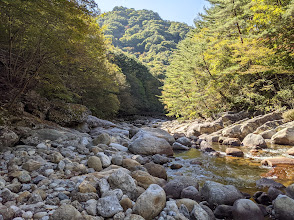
(240, 172)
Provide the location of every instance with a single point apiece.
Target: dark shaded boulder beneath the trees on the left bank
(68, 114)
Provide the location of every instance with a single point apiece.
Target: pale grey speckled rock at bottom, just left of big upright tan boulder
(108, 206)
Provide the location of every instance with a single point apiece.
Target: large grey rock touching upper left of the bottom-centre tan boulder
(121, 180)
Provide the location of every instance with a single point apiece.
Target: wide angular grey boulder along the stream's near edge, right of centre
(218, 194)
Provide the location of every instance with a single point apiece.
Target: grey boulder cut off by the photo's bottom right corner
(283, 207)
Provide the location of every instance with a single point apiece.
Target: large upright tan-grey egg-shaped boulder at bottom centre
(151, 202)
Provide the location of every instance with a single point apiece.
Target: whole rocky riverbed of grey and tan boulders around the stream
(125, 170)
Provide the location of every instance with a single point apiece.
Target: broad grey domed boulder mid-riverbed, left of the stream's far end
(145, 143)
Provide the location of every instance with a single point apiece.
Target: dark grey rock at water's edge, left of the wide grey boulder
(173, 188)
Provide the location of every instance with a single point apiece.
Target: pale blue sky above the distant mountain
(173, 10)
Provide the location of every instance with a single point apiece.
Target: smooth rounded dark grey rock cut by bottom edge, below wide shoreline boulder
(244, 209)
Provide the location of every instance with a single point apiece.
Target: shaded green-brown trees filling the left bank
(58, 48)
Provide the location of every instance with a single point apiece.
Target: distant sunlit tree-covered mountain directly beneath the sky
(144, 34)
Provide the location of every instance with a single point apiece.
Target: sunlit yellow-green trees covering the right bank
(239, 57)
